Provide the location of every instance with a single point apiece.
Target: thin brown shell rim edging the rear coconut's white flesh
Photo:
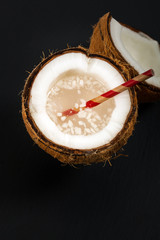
(109, 18)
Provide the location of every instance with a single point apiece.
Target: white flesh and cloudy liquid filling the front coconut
(68, 81)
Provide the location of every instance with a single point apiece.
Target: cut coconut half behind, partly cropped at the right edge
(136, 51)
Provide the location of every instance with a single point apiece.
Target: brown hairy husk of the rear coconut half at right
(101, 43)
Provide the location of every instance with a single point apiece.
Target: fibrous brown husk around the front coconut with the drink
(69, 155)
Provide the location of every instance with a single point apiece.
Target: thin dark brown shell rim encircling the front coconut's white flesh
(61, 148)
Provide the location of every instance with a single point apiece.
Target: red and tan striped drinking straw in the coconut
(105, 96)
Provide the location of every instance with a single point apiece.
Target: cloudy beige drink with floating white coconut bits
(73, 89)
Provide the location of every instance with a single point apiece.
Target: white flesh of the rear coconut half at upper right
(138, 49)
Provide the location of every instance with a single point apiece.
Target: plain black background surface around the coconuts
(40, 198)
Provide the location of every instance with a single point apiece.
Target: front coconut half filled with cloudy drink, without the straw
(64, 141)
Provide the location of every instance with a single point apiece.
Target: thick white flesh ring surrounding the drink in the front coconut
(81, 62)
